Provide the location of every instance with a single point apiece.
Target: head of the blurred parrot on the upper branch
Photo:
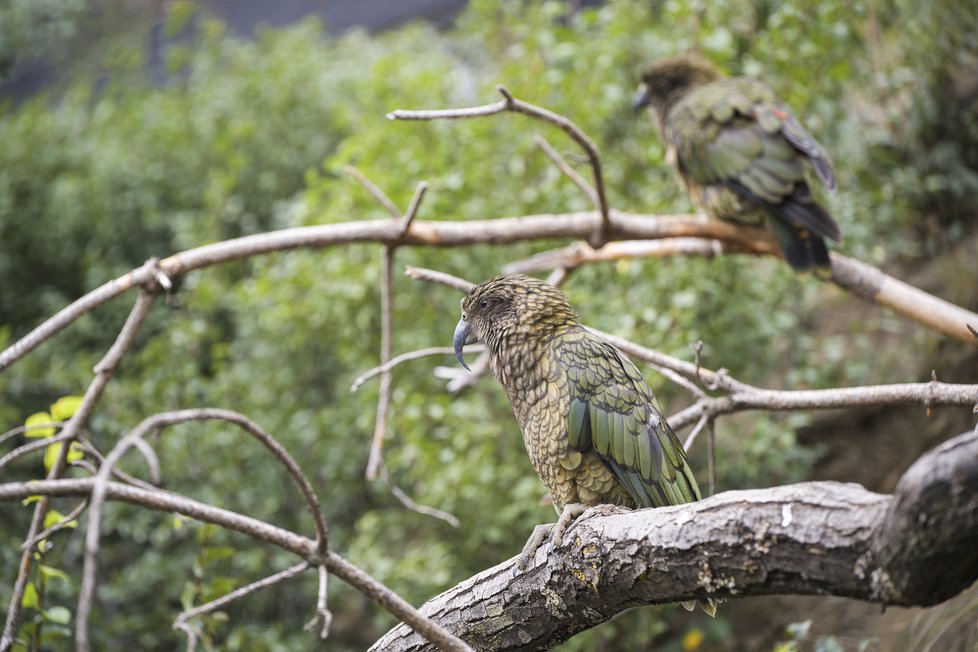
(666, 81)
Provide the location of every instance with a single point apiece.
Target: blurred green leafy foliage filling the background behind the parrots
(110, 168)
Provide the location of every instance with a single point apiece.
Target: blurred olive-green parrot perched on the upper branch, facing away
(741, 154)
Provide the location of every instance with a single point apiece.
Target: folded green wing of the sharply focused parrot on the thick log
(612, 411)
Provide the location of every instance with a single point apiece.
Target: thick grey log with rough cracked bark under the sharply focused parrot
(917, 547)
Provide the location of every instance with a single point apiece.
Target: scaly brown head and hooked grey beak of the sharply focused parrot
(511, 306)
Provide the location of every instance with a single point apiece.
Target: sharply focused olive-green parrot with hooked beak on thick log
(588, 417)
